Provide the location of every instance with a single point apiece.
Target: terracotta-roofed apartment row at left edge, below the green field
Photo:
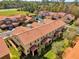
(13, 21)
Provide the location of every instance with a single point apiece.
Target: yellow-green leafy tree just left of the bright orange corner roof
(58, 47)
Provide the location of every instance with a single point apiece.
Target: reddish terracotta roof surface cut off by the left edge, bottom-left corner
(3, 48)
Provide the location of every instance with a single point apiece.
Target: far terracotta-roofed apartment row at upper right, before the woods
(67, 18)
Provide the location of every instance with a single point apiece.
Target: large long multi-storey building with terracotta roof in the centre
(32, 39)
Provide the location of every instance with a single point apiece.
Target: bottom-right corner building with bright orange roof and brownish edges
(72, 53)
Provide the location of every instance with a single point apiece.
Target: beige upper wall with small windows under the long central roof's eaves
(38, 41)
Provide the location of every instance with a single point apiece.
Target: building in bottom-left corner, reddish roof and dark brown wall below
(4, 51)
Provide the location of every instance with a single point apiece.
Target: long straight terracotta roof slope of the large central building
(35, 33)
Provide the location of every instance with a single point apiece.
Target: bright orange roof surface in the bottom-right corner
(74, 53)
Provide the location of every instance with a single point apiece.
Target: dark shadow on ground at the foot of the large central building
(44, 51)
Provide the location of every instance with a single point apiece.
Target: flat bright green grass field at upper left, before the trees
(11, 12)
